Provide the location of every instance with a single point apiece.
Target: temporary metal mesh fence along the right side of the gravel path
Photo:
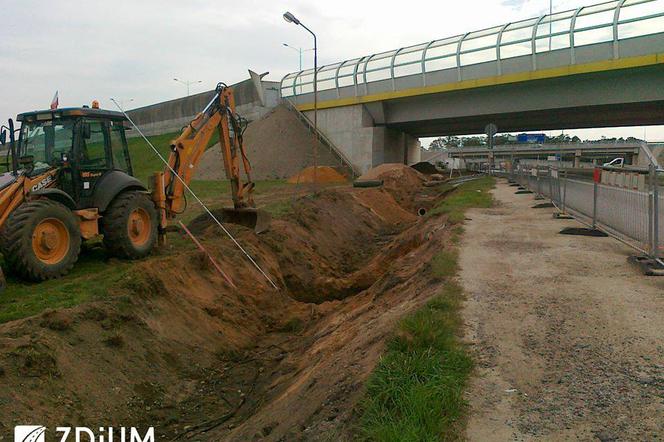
(625, 203)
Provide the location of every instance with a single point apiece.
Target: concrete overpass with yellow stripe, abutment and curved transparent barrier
(595, 66)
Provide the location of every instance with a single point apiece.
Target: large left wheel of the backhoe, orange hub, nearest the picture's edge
(41, 240)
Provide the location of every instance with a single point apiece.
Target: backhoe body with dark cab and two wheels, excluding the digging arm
(69, 179)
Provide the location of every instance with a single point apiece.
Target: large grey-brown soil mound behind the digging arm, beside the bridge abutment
(278, 146)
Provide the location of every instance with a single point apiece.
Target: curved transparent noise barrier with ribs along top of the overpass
(609, 22)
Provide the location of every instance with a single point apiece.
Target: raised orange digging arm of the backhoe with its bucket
(187, 151)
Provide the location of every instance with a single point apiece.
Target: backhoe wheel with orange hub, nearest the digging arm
(130, 225)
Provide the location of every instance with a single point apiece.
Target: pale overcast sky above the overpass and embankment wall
(127, 49)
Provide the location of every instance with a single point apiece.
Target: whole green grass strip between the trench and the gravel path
(416, 391)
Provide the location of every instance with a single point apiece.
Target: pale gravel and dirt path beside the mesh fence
(568, 338)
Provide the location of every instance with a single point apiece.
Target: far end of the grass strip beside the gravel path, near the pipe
(471, 194)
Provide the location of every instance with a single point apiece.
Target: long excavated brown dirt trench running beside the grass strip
(176, 348)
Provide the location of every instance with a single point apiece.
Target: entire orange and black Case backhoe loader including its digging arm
(70, 179)
